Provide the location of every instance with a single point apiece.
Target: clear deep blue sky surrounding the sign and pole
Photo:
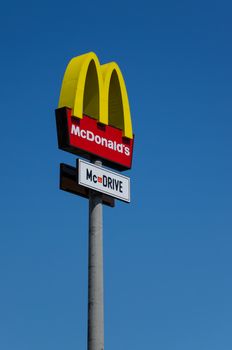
(167, 255)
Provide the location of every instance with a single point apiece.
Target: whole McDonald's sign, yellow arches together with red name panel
(93, 116)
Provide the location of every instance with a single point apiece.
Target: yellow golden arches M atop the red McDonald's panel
(98, 91)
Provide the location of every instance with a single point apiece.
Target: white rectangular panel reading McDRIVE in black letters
(102, 180)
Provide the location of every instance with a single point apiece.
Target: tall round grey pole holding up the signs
(95, 270)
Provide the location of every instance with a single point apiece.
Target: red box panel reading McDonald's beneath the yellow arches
(87, 137)
